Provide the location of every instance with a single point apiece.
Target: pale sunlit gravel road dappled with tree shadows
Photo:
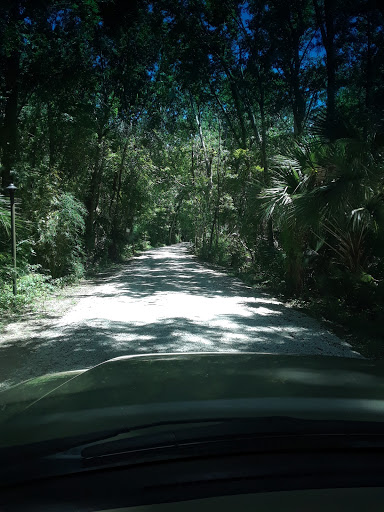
(163, 300)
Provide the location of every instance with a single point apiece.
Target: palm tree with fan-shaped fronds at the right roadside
(330, 195)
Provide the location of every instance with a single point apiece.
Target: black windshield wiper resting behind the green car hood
(265, 434)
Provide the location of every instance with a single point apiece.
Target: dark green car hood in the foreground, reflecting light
(136, 390)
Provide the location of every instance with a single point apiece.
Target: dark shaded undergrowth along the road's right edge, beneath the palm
(351, 308)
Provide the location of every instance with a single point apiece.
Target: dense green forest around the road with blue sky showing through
(253, 129)
